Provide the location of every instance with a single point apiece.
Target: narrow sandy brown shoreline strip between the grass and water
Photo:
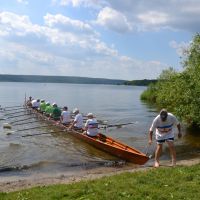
(42, 180)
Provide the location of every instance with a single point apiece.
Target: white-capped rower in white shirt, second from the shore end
(77, 123)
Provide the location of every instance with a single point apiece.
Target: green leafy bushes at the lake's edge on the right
(179, 92)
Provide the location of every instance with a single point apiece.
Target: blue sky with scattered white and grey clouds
(114, 39)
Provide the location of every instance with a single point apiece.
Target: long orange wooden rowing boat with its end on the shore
(103, 142)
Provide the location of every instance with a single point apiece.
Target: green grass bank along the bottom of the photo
(159, 184)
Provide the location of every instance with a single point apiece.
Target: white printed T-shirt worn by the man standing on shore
(164, 129)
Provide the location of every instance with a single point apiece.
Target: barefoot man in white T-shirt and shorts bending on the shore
(164, 125)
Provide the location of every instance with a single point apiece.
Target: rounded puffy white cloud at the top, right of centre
(113, 20)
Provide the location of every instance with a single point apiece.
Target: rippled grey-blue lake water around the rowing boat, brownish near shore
(53, 153)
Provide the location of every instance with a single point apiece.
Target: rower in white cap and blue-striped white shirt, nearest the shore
(91, 126)
